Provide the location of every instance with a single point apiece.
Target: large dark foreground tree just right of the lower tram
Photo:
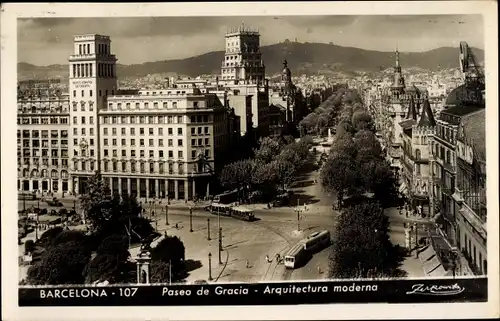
(362, 247)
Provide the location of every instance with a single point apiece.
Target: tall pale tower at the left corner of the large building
(92, 77)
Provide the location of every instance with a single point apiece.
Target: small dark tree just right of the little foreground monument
(171, 250)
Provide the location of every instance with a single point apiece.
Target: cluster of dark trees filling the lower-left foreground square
(76, 257)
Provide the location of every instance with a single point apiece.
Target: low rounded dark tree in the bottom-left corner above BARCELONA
(61, 264)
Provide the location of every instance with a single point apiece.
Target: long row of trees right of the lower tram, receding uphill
(358, 174)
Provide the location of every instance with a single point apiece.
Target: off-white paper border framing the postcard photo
(10, 12)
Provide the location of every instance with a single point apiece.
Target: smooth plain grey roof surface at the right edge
(475, 130)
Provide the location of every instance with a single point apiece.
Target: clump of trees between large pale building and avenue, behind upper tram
(275, 163)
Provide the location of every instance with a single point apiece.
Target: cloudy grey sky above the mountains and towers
(46, 41)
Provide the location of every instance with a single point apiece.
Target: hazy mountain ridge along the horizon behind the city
(308, 58)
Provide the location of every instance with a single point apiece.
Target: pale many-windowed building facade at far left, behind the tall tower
(43, 127)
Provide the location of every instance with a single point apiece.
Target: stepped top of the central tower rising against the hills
(243, 59)
